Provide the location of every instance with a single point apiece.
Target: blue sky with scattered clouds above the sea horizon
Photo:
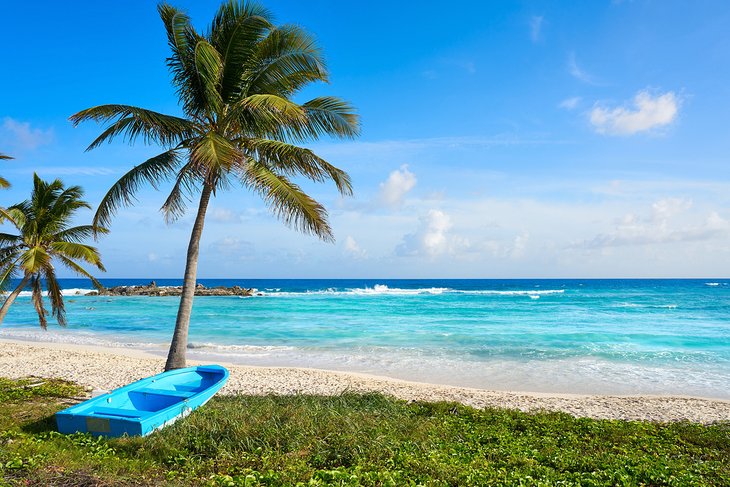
(500, 139)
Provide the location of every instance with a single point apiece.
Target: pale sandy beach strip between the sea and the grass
(101, 368)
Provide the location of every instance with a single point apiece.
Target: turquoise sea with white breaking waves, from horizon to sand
(583, 336)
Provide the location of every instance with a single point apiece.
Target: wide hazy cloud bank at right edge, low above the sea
(668, 222)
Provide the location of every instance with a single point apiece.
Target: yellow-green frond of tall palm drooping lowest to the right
(287, 201)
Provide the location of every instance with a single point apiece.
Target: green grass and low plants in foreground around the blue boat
(355, 439)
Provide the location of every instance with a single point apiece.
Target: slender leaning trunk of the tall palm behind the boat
(179, 344)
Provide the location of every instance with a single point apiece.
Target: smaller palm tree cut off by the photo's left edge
(43, 222)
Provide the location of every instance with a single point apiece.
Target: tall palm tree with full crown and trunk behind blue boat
(239, 126)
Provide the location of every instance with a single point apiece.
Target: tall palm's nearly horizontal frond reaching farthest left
(134, 122)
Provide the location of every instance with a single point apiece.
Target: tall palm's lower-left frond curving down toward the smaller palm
(153, 171)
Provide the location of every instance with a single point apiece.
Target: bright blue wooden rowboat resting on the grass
(146, 405)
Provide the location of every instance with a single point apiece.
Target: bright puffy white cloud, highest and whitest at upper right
(648, 112)
